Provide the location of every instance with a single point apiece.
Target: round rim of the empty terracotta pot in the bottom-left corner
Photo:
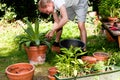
(33, 68)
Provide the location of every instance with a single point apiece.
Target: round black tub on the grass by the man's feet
(71, 42)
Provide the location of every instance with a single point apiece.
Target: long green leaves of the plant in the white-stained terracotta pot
(32, 36)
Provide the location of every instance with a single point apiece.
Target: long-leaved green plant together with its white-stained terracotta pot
(34, 42)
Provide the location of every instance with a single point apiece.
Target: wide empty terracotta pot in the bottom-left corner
(20, 71)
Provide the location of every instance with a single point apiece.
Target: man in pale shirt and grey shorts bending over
(68, 10)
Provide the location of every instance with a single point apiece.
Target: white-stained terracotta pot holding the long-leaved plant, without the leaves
(36, 55)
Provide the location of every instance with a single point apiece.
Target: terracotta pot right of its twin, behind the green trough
(101, 56)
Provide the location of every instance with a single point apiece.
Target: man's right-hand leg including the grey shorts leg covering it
(81, 11)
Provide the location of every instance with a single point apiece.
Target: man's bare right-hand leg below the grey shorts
(83, 33)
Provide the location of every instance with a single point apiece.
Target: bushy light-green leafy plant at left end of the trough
(68, 63)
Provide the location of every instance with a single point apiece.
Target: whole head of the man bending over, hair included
(46, 6)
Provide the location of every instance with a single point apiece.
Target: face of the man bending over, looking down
(48, 9)
